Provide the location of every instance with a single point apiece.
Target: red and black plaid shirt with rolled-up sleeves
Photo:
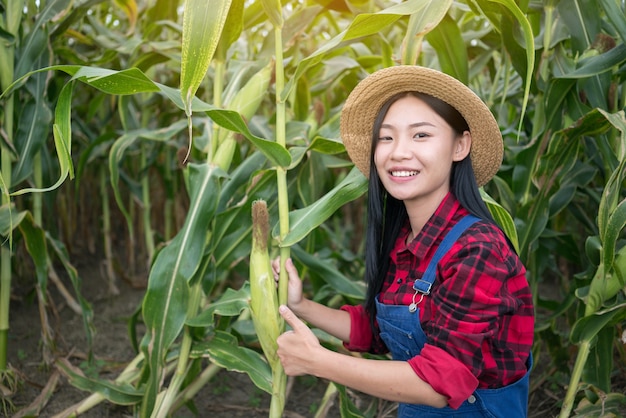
(479, 317)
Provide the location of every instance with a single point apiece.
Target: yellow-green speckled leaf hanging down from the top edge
(203, 22)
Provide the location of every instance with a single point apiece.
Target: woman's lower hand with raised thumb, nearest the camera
(298, 346)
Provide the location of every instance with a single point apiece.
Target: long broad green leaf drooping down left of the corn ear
(165, 303)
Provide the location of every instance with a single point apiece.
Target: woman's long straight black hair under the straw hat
(387, 215)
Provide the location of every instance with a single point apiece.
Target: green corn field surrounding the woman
(149, 131)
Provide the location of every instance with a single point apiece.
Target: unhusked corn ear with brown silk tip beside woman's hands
(263, 297)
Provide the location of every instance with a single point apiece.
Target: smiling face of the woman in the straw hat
(415, 152)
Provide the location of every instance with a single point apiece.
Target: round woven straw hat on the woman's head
(365, 101)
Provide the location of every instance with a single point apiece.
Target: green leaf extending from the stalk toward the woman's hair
(303, 221)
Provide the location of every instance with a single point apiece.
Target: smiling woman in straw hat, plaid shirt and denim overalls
(447, 294)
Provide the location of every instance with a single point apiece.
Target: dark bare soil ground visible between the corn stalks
(229, 394)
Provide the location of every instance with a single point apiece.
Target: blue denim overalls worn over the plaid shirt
(405, 342)
